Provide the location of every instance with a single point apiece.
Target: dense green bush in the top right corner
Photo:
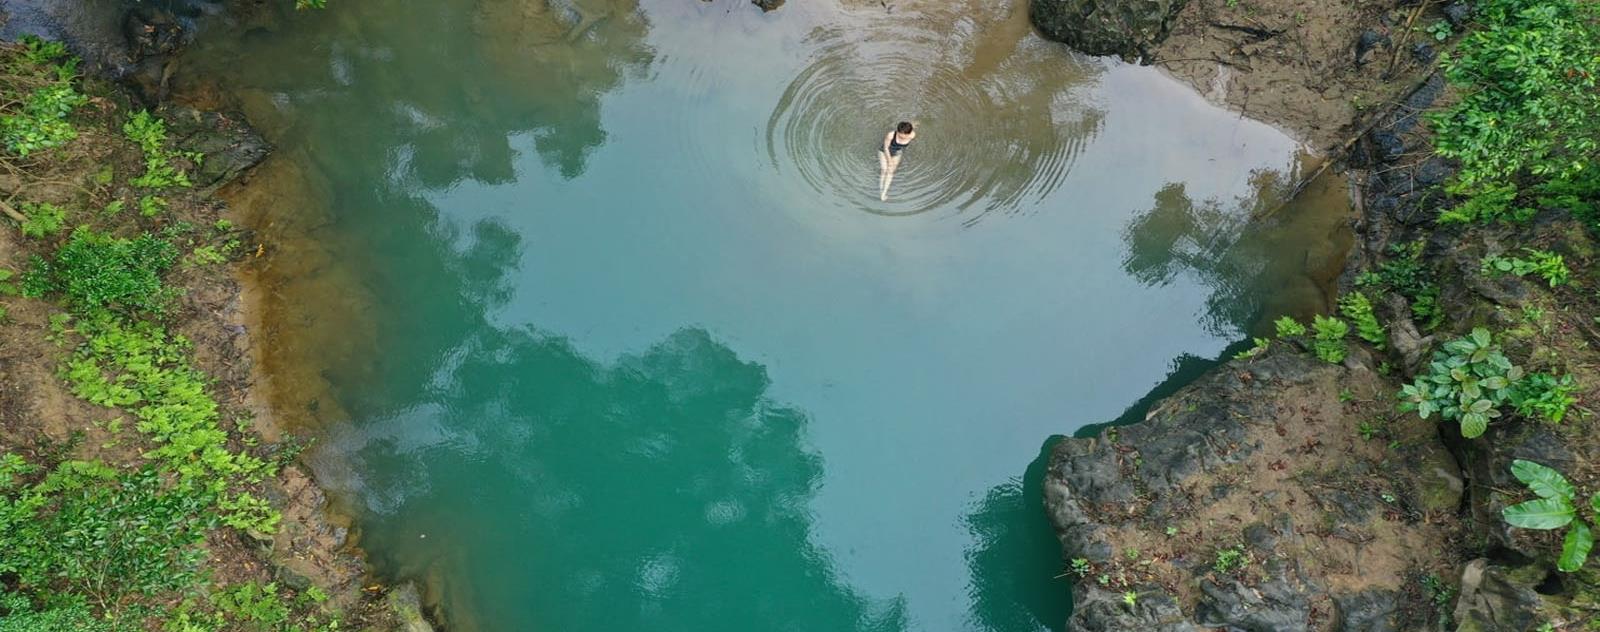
(1532, 86)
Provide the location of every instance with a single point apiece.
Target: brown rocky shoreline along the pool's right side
(1286, 494)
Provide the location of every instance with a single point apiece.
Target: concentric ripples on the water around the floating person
(999, 124)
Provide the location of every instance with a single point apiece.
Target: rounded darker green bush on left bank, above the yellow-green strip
(95, 273)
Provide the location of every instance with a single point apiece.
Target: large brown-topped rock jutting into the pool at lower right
(1258, 498)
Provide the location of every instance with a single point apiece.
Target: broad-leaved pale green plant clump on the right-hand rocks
(1468, 383)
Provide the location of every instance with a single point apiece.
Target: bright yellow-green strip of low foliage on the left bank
(142, 369)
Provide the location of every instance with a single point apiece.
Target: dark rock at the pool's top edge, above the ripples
(1126, 28)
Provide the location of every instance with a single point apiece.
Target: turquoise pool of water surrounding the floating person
(617, 334)
